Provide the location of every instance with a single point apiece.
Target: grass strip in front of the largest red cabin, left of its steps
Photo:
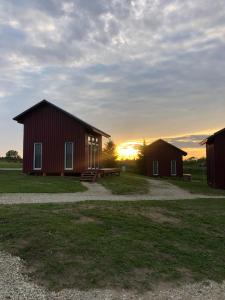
(17, 182)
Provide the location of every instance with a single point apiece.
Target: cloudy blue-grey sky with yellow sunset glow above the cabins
(135, 69)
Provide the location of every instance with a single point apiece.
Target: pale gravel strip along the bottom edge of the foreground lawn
(15, 285)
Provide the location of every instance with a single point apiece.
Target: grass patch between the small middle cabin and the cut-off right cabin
(198, 185)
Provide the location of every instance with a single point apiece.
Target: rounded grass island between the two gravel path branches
(125, 184)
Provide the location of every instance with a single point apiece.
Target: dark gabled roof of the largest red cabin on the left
(21, 116)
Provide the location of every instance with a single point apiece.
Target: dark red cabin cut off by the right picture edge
(215, 159)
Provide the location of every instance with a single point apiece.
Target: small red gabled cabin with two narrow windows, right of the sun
(164, 159)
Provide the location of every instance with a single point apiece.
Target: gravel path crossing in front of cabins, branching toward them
(159, 190)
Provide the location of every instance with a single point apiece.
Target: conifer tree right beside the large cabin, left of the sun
(109, 155)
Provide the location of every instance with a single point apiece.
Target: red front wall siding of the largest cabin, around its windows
(53, 128)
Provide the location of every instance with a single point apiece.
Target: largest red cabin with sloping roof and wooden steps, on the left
(56, 142)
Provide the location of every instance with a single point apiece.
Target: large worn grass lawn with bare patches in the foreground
(132, 245)
